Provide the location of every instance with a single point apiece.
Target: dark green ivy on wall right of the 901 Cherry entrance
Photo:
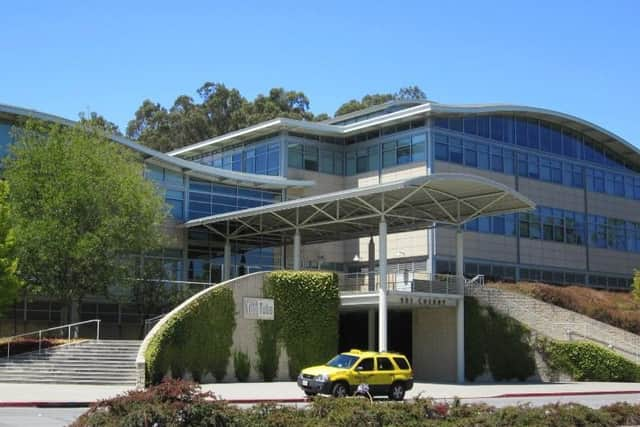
(497, 339)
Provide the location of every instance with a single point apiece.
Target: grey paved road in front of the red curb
(54, 417)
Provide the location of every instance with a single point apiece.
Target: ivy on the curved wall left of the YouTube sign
(197, 339)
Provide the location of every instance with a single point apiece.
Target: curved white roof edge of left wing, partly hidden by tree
(161, 159)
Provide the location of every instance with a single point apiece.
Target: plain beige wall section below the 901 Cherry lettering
(434, 344)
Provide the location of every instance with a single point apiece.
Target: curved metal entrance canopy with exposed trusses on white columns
(411, 204)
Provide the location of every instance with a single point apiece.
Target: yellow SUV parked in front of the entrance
(385, 373)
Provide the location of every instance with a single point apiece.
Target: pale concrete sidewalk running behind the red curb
(12, 394)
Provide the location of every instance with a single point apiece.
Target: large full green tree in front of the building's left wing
(80, 206)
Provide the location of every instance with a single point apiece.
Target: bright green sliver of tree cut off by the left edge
(9, 282)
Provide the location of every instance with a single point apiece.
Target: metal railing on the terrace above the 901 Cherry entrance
(400, 281)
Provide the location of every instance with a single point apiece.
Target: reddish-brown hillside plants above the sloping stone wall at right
(618, 309)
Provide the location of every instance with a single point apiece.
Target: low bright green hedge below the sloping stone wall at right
(586, 361)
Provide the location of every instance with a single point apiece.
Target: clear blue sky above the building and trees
(579, 57)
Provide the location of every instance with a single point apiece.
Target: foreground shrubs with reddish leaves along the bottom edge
(179, 403)
